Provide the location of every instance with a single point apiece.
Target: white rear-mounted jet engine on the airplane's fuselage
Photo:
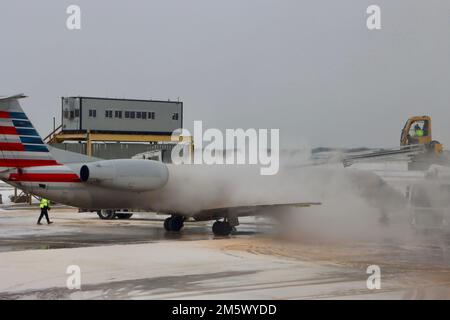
(126, 174)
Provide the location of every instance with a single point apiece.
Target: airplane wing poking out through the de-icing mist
(245, 211)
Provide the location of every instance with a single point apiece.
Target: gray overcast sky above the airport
(310, 68)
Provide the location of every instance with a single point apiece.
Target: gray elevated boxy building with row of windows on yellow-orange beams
(111, 128)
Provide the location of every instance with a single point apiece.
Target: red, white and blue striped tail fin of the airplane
(20, 144)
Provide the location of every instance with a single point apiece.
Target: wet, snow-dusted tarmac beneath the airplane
(138, 259)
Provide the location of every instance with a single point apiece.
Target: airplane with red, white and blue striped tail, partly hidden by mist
(107, 185)
